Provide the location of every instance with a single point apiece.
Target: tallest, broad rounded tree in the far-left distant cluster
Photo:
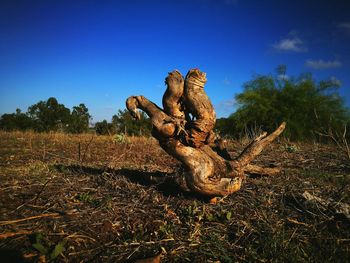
(49, 115)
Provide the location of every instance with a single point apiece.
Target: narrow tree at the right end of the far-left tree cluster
(79, 119)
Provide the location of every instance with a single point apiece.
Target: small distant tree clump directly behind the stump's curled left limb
(125, 123)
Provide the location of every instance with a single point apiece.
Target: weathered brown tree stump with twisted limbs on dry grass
(184, 129)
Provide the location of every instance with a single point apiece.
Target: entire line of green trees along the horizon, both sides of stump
(310, 108)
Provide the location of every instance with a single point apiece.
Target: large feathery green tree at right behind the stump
(307, 106)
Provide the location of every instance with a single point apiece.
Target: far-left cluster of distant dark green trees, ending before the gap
(47, 116)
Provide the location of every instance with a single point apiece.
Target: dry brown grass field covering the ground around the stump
(73, 198)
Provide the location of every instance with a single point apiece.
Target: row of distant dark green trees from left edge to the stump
(50, 115)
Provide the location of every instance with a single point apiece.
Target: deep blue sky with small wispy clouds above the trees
(101, 52)
